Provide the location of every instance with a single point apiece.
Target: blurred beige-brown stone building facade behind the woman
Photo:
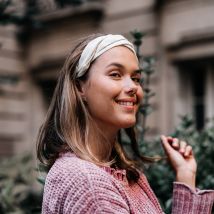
(180, 34)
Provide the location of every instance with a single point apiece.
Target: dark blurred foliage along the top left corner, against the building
(26, 18)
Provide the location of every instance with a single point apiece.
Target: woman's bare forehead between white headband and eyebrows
(119, 54)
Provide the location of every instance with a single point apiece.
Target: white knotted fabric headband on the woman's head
(98, 46)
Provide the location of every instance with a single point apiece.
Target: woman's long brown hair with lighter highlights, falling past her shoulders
(67, 124)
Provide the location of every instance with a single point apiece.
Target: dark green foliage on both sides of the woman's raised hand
(161, 175)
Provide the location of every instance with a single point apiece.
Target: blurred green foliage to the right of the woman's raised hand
(203, 146)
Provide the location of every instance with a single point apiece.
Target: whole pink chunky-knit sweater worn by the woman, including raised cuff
(77, 186)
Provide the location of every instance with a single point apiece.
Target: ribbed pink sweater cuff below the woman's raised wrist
(187, 201)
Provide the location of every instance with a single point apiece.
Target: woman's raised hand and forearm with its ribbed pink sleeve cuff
(186, 198)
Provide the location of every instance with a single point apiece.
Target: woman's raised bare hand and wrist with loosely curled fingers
(181, 158)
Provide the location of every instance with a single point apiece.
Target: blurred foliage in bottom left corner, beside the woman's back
(17, 180)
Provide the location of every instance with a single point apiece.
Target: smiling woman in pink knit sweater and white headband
(98, 94)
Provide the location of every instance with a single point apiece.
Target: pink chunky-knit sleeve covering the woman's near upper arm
(81, 190)
